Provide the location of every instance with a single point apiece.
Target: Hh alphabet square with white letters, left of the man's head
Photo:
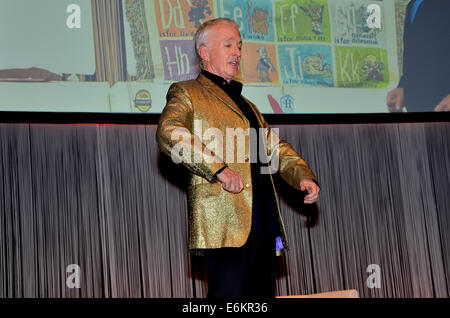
(179, 60)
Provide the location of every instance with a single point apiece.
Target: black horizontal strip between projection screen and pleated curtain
(273, 119)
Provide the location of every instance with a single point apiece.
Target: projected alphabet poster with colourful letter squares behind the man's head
(302, 43)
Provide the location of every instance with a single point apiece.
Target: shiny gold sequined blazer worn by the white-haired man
(218, 218)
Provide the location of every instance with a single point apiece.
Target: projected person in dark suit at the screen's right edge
(425, 83)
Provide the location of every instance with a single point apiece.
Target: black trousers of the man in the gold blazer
(247, 271)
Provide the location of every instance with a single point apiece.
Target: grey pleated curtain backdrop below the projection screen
(104, 197)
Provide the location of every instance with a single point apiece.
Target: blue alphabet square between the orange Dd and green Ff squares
(254, 17)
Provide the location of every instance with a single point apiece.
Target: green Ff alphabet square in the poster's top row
(302, 20)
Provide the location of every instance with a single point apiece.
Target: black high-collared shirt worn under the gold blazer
(263, 210)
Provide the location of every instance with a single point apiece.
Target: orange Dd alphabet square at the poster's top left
(181, 18)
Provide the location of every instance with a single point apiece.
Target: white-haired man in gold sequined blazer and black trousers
(234, 213)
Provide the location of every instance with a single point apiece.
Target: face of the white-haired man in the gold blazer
(222, 52)
